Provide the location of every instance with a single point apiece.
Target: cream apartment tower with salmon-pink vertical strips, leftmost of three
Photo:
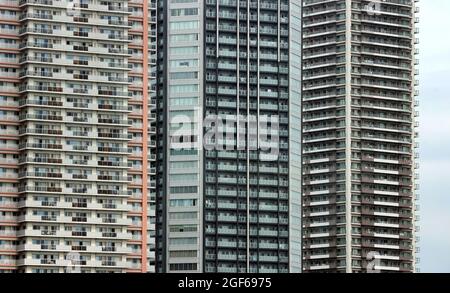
(76, 165)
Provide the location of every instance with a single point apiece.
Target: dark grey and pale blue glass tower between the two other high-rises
(229, 201)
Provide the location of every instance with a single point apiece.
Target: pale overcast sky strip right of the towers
(435, 135)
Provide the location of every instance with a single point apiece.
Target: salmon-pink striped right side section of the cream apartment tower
(142, 121)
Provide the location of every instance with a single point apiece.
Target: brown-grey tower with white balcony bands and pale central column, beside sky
(359, 135)
